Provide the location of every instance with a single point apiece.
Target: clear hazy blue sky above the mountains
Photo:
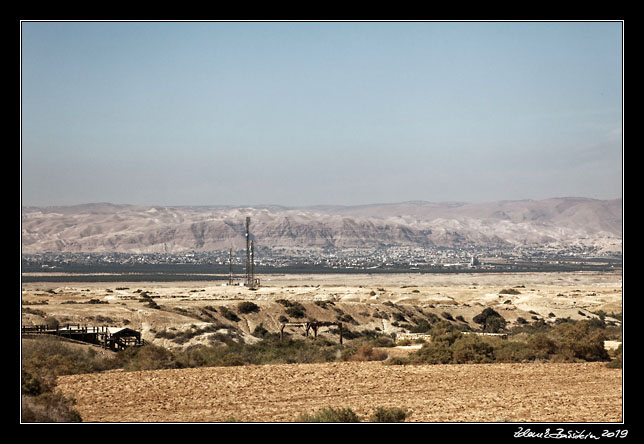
(303, 113)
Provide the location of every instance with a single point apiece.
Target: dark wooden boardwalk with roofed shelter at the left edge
(114, 338)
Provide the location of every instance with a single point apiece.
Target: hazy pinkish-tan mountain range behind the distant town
(104, 227)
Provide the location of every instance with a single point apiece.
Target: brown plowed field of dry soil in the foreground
(586, 392)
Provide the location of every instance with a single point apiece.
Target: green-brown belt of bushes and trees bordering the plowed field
(564, 341)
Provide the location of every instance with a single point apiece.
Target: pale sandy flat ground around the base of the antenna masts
(575, 295)
